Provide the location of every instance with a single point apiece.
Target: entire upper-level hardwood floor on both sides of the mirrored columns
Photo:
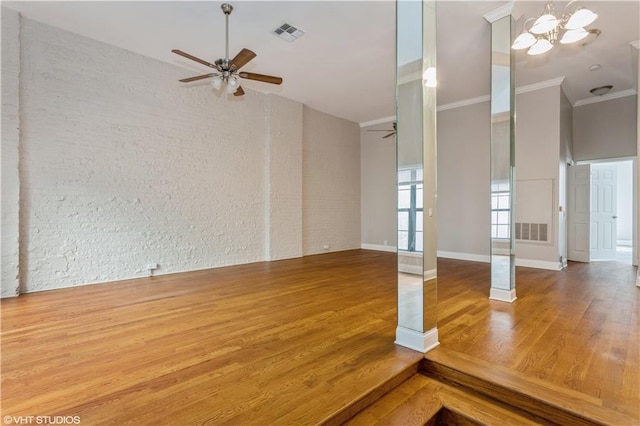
(307, 341)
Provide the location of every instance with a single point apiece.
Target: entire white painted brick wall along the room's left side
(122, 165)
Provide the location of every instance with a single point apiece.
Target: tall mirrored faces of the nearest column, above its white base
(415, 138)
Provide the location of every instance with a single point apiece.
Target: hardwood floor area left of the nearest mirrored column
(299, 342)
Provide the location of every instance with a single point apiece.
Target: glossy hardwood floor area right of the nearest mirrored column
(572, 337)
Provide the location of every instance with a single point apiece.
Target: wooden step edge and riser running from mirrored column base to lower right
(538, 397)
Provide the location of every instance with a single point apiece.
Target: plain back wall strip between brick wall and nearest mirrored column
(378, 188)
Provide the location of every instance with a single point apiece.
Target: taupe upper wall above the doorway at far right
(605, 129)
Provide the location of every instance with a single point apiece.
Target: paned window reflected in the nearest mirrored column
(410, 210)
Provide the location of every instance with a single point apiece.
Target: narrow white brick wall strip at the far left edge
(9, 152)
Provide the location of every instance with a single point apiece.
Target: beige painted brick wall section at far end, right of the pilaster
(331, 183)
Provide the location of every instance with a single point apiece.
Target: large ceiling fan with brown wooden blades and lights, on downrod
(227, 71)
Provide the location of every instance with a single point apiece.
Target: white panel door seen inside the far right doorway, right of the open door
(603, 212)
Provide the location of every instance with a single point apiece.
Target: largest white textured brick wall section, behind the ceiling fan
(123, 166)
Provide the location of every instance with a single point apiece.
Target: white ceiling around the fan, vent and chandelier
(345, 63)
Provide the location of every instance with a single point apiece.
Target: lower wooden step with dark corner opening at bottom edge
(424, 401)
